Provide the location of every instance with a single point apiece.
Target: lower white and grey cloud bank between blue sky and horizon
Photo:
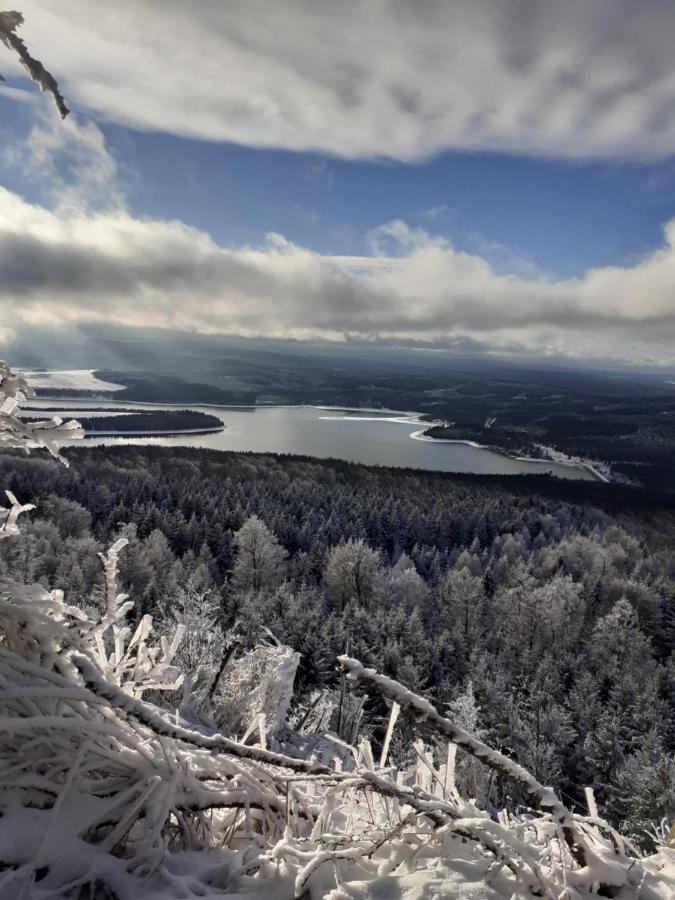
(66, 267)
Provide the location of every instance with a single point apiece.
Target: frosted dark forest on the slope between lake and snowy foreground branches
(546, 625)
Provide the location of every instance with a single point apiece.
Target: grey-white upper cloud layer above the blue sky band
(361, 78)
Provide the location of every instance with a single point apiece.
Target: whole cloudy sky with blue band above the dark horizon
(474, 176)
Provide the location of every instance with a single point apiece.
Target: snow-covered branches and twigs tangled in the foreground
(104, 793)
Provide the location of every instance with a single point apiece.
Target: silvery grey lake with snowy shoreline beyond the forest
(368, 437)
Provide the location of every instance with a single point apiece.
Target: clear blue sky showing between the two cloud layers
(560, 216)
